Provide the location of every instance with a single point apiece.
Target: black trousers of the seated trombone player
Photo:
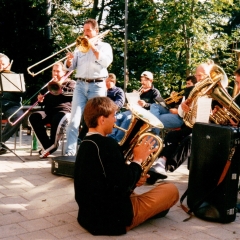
(38, 124)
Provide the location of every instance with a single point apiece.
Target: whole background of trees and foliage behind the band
(168, 38)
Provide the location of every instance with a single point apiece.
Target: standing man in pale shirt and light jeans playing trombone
(91, 72)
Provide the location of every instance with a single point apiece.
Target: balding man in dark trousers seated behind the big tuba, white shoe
(171, 141)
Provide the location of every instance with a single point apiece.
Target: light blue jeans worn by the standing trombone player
(82, 93)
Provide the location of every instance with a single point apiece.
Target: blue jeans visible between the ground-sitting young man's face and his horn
(122, 120)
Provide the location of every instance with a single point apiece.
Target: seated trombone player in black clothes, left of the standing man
(57, 109)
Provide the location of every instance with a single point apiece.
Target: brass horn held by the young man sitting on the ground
(142, 121)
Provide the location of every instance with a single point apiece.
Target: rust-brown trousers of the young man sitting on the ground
(150, 203)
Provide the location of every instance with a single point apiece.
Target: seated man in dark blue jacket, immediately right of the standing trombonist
(115, 93)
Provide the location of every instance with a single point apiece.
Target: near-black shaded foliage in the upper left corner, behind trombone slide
(23, 37)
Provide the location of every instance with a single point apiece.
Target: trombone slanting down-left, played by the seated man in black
(36, 103)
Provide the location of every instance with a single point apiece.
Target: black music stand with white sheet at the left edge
(10, 82)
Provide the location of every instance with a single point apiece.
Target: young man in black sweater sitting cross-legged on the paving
(104, 184)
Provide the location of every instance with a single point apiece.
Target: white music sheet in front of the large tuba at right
(203, 109)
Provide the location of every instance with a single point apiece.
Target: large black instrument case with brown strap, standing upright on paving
(213, 173)
